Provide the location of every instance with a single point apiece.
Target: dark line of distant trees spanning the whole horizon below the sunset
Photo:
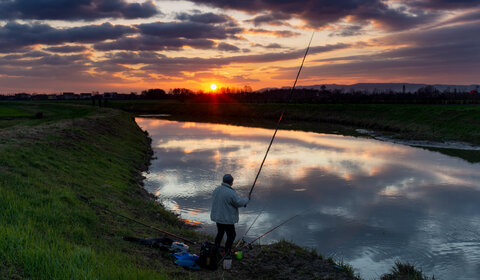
(424, 95)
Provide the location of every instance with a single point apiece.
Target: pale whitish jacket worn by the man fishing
(225, 205)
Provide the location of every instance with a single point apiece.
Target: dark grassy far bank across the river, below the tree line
(427, 122)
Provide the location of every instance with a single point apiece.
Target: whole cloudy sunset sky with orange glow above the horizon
(120, 45)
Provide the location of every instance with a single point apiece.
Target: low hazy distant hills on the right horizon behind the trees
(383, 87)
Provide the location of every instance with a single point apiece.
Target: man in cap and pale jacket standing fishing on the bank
(225, 211)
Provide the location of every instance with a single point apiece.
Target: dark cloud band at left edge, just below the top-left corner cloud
(15, 36)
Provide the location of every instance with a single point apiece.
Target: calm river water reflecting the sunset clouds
(368, 202)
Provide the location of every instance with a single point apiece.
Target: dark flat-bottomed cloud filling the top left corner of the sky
(75, 10)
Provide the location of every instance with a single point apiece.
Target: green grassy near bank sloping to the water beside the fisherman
(47, 232)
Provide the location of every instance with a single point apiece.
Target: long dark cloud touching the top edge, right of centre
(321, 13)
